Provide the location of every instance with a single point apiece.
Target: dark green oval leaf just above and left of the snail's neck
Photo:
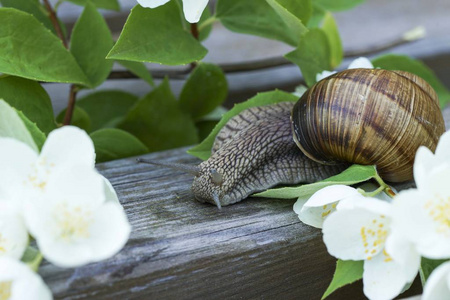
(205, 89)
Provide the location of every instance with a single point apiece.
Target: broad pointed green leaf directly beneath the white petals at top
(157, 35)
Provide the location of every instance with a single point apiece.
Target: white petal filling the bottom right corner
(437, 286)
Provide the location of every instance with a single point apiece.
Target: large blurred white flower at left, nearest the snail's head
(74, 224)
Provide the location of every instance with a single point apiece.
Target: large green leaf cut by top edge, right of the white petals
(279, 21)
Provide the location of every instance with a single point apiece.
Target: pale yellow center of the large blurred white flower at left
(72, 222)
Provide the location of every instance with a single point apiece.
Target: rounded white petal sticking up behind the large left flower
(68, 145)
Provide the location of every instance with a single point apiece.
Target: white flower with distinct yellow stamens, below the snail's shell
(361, 231)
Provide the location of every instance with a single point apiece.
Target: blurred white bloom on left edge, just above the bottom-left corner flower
(13, 232)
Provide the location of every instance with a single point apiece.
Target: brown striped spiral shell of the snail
(368, 116)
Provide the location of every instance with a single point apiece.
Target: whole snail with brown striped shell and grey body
(363, 116)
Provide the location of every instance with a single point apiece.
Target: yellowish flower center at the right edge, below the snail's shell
(439, 210)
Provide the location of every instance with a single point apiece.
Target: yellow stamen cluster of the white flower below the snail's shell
(373, 236)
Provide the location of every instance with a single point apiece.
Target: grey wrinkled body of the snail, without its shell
(254, 151)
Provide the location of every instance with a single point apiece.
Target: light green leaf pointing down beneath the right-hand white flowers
(347, 271)
